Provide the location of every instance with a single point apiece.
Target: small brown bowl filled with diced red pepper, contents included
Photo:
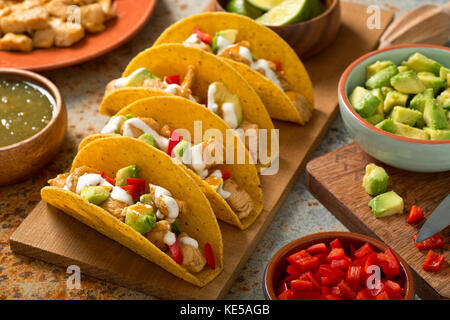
(337, 266)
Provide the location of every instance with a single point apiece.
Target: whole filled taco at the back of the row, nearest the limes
(263, 58)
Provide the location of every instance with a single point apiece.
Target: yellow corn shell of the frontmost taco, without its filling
(111, 154)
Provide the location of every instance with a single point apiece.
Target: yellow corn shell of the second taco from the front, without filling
(167, 110)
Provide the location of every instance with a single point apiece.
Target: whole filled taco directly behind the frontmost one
(233, 190)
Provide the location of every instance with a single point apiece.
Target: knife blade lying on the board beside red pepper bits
(437, 221)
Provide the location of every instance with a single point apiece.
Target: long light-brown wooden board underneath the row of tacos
(50, 235)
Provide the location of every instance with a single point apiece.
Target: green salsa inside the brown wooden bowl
(25, 109)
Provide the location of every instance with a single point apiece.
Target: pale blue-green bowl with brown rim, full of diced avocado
(395, 102)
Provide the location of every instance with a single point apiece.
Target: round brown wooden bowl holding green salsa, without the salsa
(21, 160)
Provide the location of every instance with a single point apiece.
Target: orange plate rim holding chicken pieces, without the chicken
(132, 16)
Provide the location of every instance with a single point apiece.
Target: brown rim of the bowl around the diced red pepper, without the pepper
(277, 265)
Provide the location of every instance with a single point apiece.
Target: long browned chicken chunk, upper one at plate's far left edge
(24, 20)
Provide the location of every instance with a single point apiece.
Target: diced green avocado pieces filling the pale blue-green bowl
(411, 100)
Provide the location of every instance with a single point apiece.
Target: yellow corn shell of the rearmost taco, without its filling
(265, 44)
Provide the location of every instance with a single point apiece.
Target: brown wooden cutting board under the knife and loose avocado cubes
(335, 179)
